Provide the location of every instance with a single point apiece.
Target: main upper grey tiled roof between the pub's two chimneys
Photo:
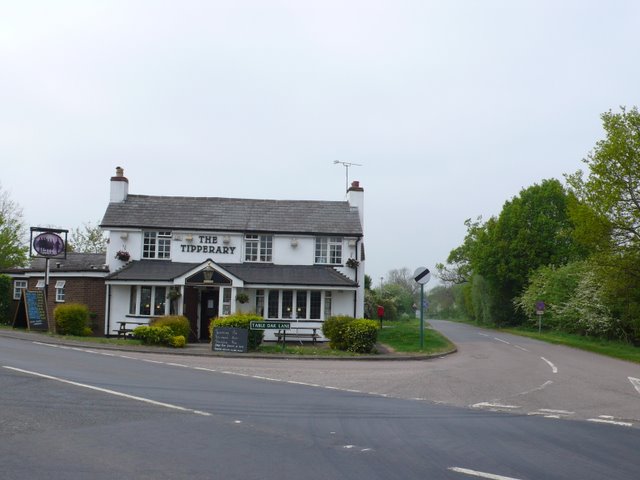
(234, 215)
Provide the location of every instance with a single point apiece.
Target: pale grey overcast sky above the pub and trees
(450, 107)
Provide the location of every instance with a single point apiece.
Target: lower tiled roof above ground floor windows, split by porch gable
(251, 274)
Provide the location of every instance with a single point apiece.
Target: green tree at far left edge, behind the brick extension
(13, 251)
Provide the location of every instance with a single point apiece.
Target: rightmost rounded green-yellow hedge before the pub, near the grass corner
(351, 334)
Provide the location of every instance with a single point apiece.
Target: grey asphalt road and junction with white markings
(88, 413)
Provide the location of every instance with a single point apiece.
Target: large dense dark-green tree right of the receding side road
(533, 229)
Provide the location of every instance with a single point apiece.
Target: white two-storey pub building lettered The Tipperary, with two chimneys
(295, 261)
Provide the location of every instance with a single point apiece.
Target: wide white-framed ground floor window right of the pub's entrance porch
(294, 304)
